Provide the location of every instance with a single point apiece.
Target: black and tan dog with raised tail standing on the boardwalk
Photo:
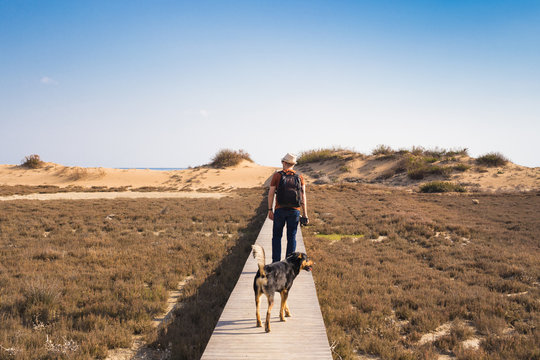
(276, 277)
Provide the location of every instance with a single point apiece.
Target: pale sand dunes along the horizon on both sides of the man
(351, 168)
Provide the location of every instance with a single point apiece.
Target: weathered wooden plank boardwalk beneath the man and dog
(302, 336)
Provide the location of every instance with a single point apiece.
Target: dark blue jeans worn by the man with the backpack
(283, 216)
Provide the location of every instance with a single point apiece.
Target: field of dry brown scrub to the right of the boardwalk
(425, 260)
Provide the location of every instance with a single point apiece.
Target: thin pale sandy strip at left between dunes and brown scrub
(113, 195)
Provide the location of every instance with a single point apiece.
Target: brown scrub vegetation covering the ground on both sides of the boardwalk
(399, 275)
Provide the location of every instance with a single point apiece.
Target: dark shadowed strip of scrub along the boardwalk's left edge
(191, 326)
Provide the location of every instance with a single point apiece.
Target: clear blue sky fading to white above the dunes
(169, 83)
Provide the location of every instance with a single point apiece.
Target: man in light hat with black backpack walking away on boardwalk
(290, 191)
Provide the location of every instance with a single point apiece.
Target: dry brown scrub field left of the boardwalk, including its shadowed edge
(80, 277)
